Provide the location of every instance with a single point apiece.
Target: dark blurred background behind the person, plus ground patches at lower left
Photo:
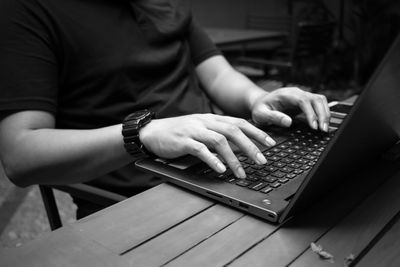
(352, 38)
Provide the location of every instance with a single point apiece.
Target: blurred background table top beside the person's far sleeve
(227, 36)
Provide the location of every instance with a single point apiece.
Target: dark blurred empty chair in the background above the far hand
(310, 40)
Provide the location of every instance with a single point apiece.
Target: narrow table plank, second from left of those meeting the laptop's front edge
(165, 247)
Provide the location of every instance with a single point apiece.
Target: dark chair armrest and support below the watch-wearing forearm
(83, 191)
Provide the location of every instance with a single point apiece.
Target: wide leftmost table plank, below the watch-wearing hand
(140, 218)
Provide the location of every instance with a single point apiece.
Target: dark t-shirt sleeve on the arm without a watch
(200, 44)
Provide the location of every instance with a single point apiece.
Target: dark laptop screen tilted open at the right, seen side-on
(370, 129)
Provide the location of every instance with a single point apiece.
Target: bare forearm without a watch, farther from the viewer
(233, 92)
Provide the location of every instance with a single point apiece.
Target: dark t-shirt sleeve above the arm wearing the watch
(28, 65)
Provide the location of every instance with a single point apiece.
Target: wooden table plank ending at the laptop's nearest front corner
(227, 244)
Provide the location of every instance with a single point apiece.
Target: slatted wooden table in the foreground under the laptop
(170, 226)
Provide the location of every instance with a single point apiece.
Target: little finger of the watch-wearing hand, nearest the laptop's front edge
(201, 151)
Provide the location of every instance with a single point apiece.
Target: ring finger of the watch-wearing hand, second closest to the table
(221, 146)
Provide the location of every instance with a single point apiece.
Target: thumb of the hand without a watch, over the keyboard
(264, 115)
